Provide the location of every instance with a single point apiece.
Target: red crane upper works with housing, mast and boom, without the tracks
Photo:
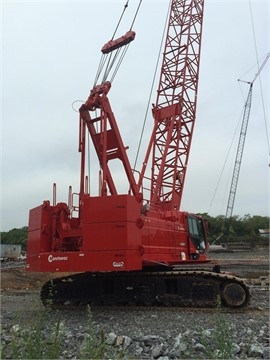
(121, 232)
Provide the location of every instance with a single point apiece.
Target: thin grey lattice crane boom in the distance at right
(239, 152)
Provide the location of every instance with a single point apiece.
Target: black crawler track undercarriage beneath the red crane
(198, 288)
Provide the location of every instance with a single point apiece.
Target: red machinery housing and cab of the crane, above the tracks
(111, 235)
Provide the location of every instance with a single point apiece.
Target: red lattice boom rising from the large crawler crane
(175, 107)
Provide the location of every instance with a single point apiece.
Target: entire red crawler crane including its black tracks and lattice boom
(122, 245)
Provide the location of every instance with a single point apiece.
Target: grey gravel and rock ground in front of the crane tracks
(135, 334)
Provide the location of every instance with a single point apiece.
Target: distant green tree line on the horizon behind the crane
(244, 229)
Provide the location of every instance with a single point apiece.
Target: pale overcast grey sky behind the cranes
(50, 56)
